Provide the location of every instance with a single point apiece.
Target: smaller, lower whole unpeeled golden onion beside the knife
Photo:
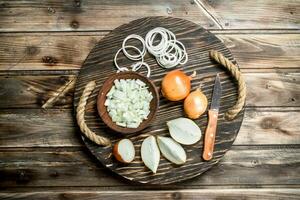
(195, 104)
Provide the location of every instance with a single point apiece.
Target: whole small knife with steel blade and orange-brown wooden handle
(210, 133)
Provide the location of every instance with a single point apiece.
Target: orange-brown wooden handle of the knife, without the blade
(210, 135)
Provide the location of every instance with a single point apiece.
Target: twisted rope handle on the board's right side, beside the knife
(220, 58)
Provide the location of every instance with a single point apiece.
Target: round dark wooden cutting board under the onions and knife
(99, 66)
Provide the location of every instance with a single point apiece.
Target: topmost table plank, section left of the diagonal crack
(90, 15)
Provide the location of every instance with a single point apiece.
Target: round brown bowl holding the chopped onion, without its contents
(107, 85)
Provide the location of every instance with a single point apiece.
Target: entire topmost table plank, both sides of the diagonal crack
(84, 15)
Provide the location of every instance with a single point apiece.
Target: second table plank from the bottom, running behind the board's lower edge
(240, 166)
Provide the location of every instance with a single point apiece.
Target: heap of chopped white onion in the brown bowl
(128, 102)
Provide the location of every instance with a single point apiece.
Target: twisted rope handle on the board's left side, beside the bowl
(103, 141)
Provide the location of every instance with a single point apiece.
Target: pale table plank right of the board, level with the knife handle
(280, 126)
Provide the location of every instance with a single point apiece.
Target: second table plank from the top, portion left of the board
(45, 52)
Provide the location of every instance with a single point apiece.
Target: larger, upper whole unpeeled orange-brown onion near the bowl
(176, 85)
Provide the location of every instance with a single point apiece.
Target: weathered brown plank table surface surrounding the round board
(42, 46)
